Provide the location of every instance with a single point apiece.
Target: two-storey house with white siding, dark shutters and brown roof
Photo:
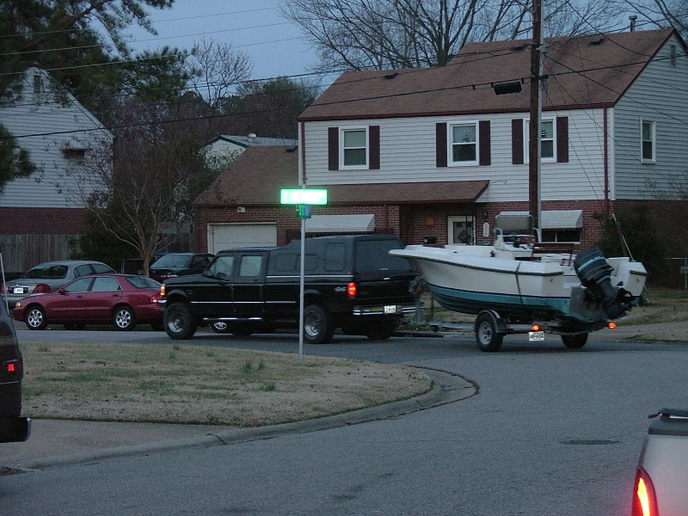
(434, 154)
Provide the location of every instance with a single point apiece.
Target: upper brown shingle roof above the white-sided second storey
(584, 71)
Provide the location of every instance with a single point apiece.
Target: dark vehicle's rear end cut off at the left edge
(13, 427)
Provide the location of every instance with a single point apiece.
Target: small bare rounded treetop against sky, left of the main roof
(219, 69)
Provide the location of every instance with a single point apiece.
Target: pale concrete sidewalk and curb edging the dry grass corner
(55, 442)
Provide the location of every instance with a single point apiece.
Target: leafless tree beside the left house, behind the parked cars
(140, 189)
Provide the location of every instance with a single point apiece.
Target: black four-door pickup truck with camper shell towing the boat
(351, 282)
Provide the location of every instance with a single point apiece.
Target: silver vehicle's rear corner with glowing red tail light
(662, 474)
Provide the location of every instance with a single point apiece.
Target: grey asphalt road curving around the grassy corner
(551, 431)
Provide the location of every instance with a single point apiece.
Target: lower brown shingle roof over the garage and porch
(259, 173)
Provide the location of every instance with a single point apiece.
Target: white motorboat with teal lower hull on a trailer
(520, 281)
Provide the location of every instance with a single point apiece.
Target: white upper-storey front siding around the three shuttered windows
(408, 154)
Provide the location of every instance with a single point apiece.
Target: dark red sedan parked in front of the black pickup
(121, 299)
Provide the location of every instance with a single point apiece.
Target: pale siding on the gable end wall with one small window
(659, 94)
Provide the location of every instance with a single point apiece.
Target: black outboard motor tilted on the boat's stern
(594, 272)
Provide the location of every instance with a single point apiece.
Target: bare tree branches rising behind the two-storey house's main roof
(379, 34)
